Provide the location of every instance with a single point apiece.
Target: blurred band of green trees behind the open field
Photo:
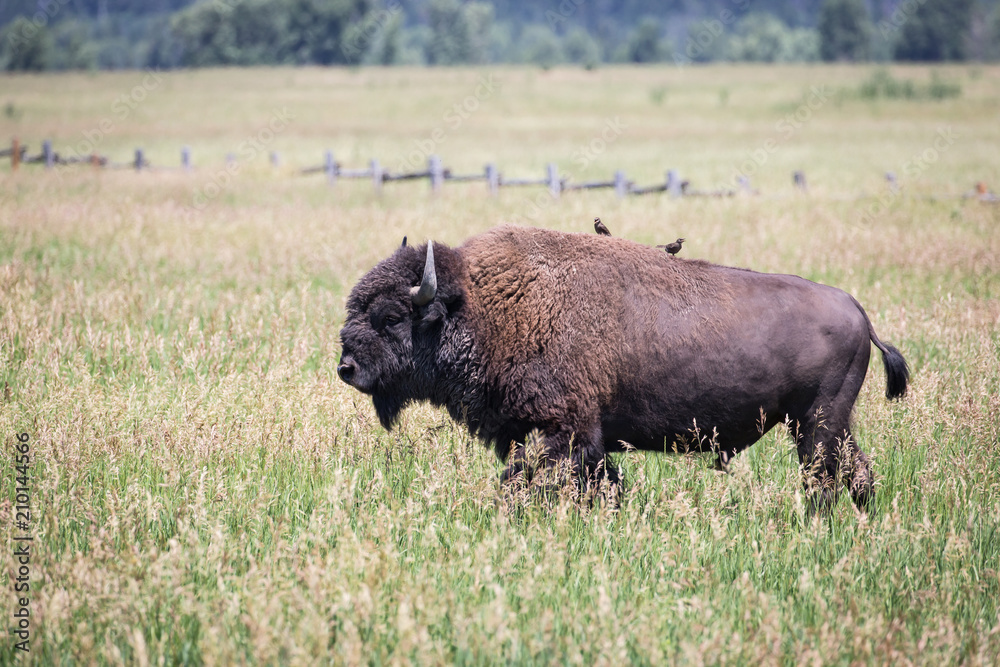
(37, 35)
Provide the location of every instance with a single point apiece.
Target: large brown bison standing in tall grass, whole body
(596, 342)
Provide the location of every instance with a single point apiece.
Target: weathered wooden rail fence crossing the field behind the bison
(438, 174)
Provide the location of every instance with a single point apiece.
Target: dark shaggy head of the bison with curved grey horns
(387, 341)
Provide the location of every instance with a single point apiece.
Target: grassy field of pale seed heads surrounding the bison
(204, 490)
